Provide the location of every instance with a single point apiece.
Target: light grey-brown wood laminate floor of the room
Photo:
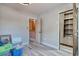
(37, 49)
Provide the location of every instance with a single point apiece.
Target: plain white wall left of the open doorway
(14, 23)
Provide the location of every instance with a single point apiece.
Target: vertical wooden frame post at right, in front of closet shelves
(75, 33)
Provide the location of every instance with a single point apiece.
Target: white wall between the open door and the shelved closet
(50, 28)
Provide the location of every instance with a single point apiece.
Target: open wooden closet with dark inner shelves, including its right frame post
(68, 30)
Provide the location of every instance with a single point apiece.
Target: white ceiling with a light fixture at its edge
(36, 8)
